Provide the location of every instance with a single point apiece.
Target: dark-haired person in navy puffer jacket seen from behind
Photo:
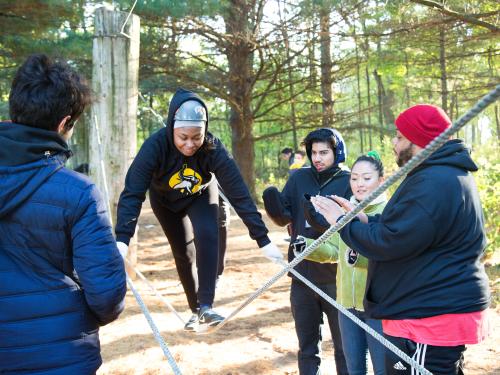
(61, 275)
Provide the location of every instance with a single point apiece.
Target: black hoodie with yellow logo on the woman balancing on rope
(177, 180)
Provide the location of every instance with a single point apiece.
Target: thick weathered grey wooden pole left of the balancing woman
(113, 130)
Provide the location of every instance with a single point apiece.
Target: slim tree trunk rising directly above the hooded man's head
(326, 68)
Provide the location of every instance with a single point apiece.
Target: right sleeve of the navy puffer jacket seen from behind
(96, 259)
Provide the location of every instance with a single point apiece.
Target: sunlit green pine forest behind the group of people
(271, 71)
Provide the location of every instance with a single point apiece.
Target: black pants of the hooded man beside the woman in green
(307, 310)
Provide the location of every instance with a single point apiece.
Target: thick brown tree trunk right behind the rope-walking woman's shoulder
(239, 56)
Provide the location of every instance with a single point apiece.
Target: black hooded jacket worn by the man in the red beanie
(425, 247)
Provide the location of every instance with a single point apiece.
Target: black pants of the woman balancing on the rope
(193, 238)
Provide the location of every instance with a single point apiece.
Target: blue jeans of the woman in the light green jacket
(356, 343)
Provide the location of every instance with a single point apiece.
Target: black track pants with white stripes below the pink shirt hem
(440, 360)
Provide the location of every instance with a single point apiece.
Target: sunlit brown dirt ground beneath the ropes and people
(259, 340)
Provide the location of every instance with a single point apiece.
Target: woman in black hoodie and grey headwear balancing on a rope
(179, 165)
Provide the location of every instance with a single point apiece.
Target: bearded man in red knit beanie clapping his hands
(425, 277)
